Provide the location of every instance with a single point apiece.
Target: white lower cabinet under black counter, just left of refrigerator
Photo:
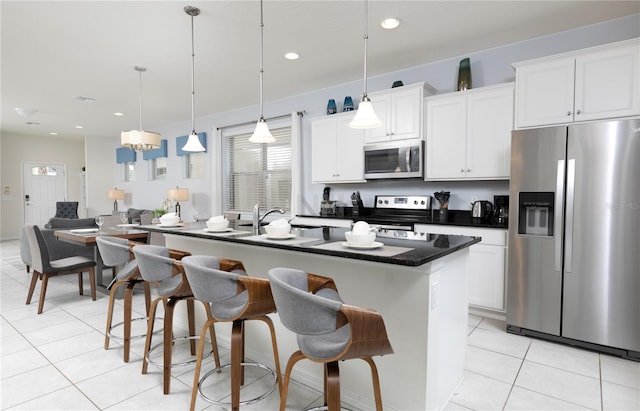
(487, 263)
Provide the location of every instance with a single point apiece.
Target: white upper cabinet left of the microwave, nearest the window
(336, 150)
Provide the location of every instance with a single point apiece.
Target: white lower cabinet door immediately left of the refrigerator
(486, 276)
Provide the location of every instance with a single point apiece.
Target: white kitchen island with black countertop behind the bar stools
(417, 281)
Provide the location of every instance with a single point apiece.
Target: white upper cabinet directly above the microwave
(400, 110)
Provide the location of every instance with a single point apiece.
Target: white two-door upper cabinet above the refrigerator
(591, 84)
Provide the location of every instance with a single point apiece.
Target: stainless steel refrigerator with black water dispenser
(574, 235)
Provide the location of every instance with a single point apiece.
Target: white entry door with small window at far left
(43, 184)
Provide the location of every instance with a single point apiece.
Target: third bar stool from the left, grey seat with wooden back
(235, 297)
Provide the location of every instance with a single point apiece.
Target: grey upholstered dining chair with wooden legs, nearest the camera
(44, 268)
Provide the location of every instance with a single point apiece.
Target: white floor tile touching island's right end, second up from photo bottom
(492, 364)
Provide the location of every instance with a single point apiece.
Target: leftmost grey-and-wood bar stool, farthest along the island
(116, 252)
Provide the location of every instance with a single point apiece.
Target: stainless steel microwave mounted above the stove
(394, 159)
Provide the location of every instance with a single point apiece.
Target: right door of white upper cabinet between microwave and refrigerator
(489, 125)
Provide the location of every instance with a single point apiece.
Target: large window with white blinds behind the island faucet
(255, 173)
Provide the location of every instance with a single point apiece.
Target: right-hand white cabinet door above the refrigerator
(607, 84)
